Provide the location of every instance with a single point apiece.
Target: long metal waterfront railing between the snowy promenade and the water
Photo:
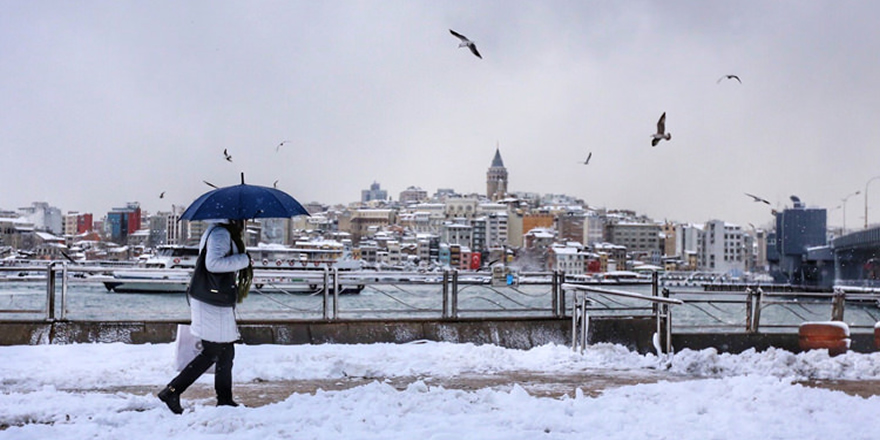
(451, 295)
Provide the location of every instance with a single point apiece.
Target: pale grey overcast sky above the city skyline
(105, 102)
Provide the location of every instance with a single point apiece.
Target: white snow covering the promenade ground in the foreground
(65, 392)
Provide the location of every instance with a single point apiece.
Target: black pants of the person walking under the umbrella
(219, 354)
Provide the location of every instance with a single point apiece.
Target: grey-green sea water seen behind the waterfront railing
(702, 310)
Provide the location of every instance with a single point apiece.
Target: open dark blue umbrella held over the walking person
(242, 202)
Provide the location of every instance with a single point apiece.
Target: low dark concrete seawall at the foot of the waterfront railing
(520, 333)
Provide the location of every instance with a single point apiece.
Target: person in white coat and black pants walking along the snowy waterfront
(220, 280)
